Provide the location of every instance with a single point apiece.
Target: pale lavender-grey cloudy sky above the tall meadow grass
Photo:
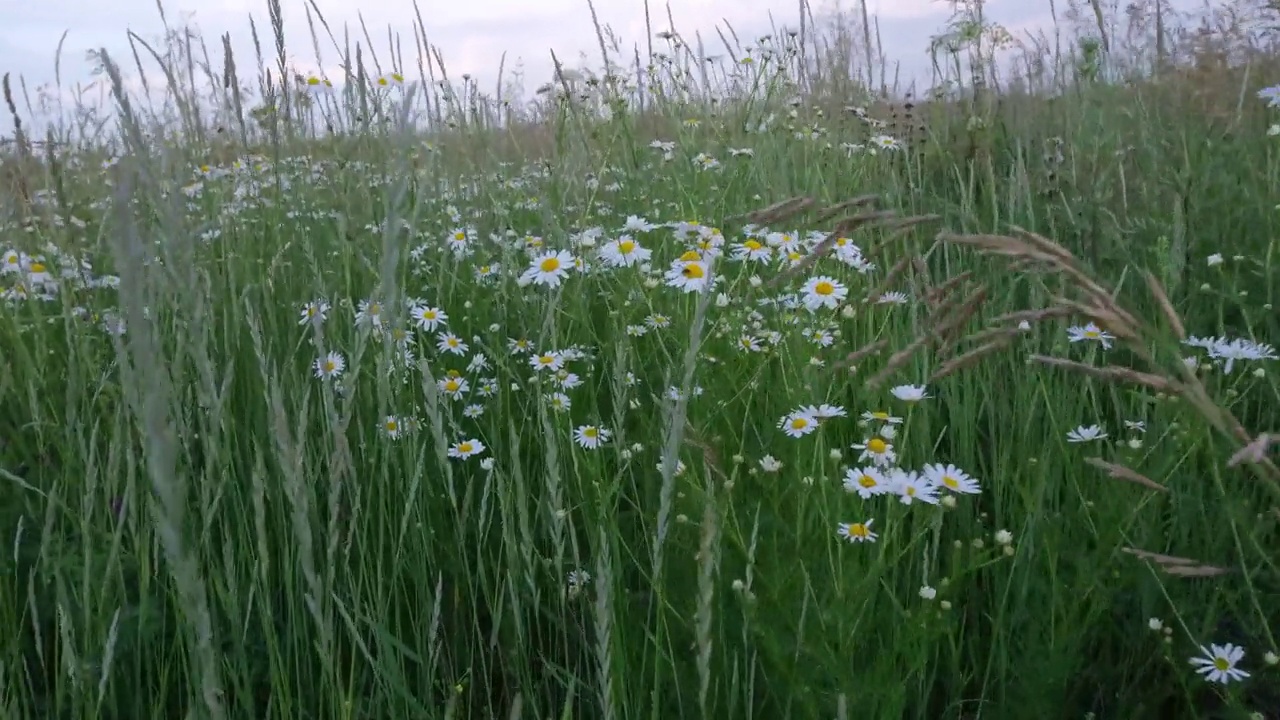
(472, 35)
